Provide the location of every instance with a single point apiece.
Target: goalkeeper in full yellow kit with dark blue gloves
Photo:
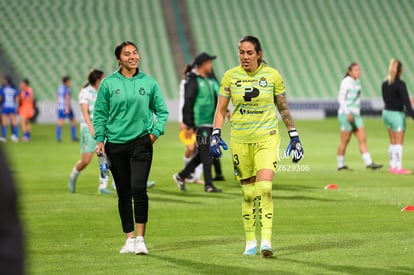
(254, 89)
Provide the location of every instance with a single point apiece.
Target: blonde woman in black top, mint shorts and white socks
(396, 100)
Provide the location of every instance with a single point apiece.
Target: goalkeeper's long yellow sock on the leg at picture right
(266, 209)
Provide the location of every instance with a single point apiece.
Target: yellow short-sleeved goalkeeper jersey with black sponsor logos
(254, 116)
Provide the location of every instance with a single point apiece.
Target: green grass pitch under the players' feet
(356, 229)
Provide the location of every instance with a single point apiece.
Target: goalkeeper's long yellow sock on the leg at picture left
(249, 211)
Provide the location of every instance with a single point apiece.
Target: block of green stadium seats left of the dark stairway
(48, 39)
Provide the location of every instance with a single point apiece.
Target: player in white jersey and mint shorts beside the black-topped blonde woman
(349, 117)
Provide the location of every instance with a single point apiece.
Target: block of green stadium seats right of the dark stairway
(310, 42)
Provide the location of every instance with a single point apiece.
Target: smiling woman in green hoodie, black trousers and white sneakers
(127, 101)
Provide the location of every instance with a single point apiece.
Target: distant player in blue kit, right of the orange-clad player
(64, 109)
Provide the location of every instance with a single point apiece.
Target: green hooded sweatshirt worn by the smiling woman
(125, 108)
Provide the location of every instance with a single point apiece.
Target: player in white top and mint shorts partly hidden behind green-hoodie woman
(87, 98)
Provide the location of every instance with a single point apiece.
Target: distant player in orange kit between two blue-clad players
(26, 108)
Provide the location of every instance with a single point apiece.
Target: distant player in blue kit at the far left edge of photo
(9, 96)
